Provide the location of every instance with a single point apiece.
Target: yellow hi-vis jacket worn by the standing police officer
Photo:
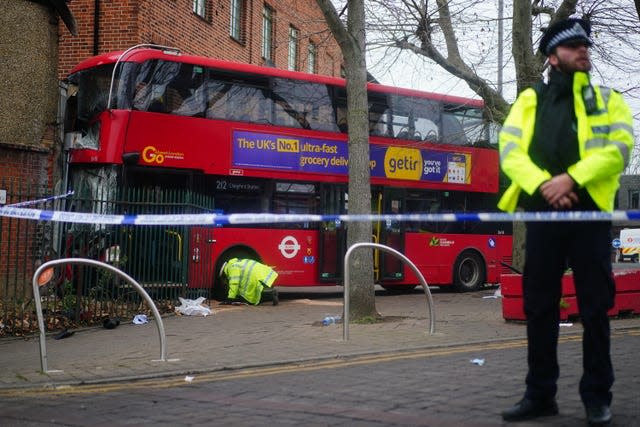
(605, 141)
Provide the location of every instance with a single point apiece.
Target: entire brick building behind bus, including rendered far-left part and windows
(38, 51)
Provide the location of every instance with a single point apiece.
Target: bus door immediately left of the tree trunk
(333, 234)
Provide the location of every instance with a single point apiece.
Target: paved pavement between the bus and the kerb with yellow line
(246, 336)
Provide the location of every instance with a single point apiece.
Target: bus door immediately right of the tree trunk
(389, 233)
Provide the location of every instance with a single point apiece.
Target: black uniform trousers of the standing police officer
(585, 246)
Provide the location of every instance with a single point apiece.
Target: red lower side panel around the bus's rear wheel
(435, 254)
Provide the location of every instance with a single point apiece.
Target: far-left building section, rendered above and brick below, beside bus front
(28, 143)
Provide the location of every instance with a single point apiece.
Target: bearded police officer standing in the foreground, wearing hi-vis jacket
(564, 145)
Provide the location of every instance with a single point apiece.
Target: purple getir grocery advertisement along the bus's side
(313, 155)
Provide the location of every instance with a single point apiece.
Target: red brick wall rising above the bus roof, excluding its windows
(124, 23)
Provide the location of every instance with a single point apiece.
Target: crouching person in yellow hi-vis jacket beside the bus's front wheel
(247, 279)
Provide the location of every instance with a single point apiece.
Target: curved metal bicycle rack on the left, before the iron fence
(91, 262)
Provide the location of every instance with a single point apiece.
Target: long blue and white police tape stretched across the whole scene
(267, 218)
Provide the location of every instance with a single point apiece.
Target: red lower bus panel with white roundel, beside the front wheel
(292, 253)
